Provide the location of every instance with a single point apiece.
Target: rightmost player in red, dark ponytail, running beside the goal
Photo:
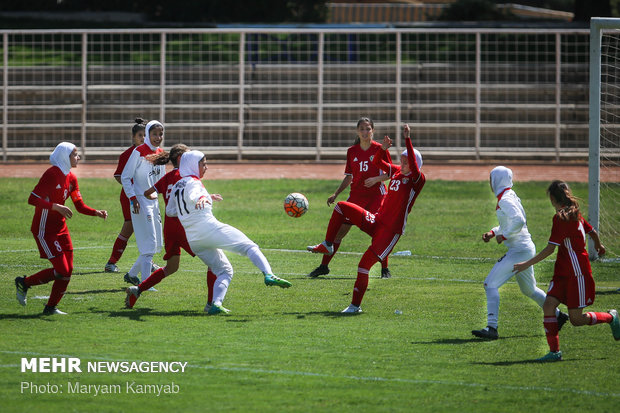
(572, 283)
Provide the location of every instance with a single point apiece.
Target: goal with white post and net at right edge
(604, 162)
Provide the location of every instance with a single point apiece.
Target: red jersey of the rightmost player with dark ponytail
(570, 236)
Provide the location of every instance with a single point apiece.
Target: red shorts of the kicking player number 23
(383, 239)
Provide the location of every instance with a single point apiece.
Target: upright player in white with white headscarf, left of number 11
(139, 175)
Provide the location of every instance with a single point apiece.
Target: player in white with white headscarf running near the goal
(513, 232)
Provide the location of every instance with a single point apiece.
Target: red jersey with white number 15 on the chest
(361, 167)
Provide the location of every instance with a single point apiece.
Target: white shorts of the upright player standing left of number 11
(147, 226)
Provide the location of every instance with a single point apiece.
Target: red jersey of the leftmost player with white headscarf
(54, 187)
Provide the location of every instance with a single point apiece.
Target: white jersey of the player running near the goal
(512, 222)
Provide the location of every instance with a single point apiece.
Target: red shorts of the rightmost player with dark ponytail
(575, 292)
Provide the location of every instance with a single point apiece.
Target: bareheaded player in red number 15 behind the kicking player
(367, 188)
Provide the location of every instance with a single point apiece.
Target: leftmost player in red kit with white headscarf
(50, 228)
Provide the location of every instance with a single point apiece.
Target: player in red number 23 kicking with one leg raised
(388, 224)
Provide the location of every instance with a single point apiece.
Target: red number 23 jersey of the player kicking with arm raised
(402, 192)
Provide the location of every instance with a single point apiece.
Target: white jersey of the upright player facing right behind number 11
(139, 174)
